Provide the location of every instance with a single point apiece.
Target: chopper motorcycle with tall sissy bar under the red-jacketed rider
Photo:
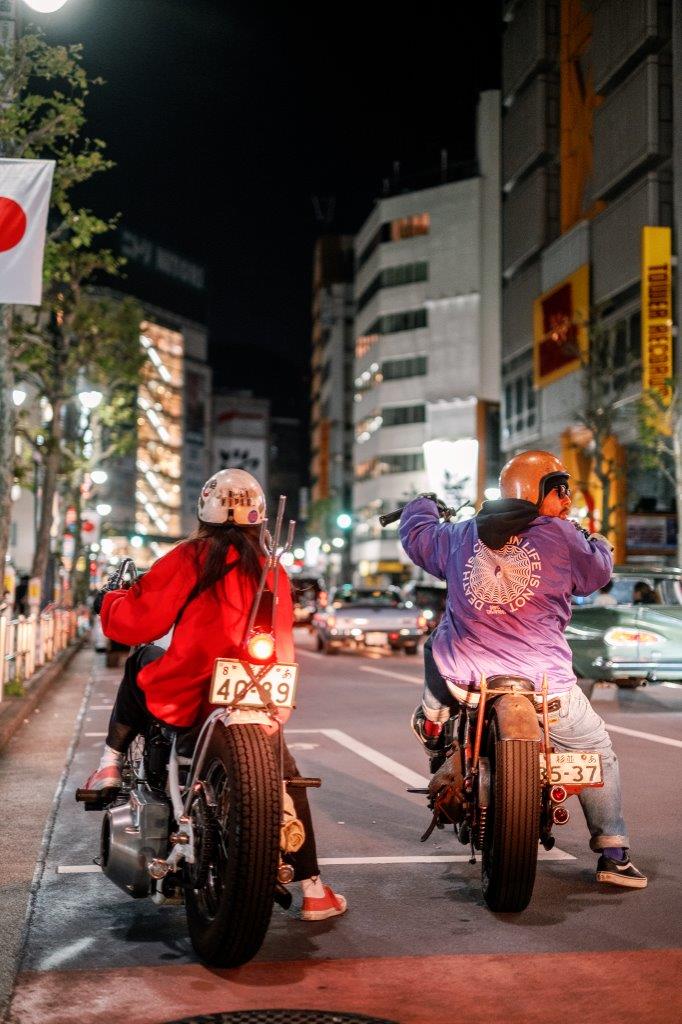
(205, 818)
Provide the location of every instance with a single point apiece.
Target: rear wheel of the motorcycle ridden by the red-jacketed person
(231, 888)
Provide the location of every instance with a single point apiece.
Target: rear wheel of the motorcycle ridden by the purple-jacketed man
(513, 827)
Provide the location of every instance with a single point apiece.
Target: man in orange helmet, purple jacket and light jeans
(511, 572)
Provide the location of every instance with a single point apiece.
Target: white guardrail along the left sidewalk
(28, 644)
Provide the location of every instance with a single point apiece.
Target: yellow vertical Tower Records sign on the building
(657, 312)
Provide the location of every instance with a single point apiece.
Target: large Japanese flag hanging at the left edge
(25, 198)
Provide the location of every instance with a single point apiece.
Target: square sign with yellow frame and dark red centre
(561, 318)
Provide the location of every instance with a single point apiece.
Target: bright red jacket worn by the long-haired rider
(212, 626)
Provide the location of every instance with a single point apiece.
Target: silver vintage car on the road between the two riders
(361, 618)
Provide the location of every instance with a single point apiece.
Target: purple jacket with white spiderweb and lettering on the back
(507, 609)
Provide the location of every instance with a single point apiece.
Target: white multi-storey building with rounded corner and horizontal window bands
(428, 349)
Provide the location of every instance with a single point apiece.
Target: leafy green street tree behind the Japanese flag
(76, 338)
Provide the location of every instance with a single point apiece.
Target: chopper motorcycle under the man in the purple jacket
(500, 784)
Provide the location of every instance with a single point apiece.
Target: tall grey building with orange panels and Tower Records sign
(590, 177)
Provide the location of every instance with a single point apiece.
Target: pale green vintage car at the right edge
(633, 634)
